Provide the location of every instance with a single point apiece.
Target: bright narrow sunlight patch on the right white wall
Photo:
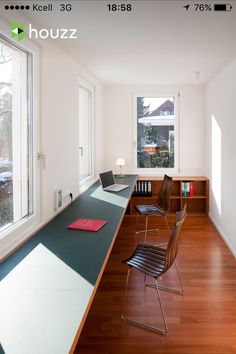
(216, 162)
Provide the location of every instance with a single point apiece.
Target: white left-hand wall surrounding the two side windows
(56, 100)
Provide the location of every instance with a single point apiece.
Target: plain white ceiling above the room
(157, 43)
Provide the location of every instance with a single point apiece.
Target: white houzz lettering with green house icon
(62, 33)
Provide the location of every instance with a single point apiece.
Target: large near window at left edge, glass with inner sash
(15, 135)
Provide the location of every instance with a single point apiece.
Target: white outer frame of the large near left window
(18, 231)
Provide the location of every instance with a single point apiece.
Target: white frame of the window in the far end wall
(159, 170)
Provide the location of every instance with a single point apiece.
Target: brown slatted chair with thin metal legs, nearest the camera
(155, 261)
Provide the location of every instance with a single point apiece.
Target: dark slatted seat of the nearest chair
(148, 259)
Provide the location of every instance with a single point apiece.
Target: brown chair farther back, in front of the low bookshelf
(161, 208)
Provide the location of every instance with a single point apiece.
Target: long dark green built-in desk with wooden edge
(48, 284)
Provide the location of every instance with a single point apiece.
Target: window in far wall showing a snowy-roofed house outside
(155, 132)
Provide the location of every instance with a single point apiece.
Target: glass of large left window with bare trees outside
(6, 194)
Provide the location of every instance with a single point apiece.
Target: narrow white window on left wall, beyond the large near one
(86, 94)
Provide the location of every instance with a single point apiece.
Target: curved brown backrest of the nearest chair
(173, 244)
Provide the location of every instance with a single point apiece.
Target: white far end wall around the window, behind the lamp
(118, 131)
